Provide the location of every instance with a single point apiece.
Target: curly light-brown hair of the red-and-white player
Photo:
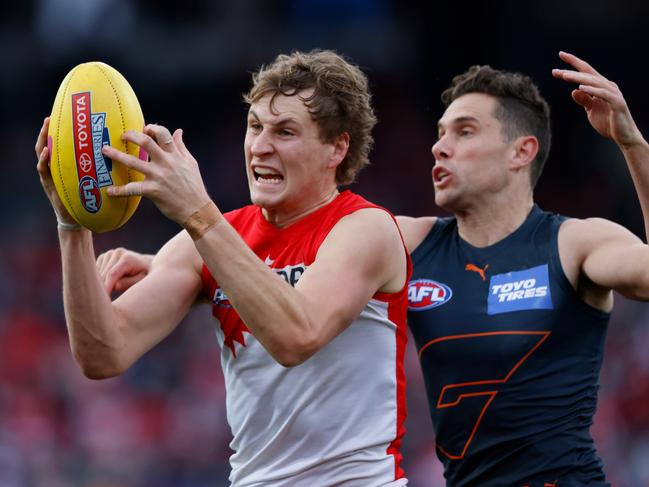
(340, 102)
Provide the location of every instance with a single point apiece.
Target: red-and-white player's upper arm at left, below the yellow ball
(152, 308)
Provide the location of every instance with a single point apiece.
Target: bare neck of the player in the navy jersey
(489, 222)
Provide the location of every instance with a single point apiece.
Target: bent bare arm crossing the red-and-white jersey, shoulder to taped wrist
(361, 255)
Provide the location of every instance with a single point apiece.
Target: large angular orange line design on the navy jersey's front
(492, 394)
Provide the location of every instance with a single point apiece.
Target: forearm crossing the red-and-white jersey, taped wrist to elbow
(272, 310)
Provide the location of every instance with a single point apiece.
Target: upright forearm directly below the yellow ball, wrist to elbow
(94, 337)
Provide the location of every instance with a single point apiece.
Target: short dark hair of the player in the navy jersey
(521, 109)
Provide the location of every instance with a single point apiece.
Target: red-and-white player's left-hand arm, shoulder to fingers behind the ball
(107, 337)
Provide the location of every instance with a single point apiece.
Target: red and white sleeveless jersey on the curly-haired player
(336, 419)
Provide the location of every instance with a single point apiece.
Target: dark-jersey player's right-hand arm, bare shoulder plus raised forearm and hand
(599, 255)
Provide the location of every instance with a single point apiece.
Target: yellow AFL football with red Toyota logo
(94, 106)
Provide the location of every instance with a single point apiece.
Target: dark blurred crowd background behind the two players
(163, 423)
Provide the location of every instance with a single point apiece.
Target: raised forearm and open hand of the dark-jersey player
(609, 115)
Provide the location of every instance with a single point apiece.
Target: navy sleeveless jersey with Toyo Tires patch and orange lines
(511, 358)
